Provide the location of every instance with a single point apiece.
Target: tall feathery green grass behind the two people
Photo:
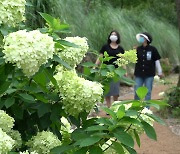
(97, 24)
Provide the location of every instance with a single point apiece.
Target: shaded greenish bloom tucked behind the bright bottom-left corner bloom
(16, 136)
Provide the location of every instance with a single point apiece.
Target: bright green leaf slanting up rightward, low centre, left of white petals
(89, 141)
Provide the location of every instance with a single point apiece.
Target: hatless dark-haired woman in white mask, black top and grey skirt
(112, 48)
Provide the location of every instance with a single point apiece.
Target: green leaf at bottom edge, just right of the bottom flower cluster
(61, 149)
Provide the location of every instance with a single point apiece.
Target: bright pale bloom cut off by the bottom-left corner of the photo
(6, 142)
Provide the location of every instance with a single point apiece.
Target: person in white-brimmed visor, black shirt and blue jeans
(147, 63)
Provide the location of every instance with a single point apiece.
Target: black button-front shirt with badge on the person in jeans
(145, 66)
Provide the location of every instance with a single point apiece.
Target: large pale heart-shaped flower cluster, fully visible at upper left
(28, 50)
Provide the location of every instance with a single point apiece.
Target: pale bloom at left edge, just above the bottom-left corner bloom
(6, 122)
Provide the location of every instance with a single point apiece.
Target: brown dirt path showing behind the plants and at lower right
(168, 136)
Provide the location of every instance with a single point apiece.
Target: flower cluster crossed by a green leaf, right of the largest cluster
(74, 55)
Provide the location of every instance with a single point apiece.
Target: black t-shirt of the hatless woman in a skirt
(111, 52)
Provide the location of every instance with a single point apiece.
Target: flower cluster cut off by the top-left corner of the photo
(12, 12)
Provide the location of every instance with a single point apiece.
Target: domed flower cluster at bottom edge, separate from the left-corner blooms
(43, 142)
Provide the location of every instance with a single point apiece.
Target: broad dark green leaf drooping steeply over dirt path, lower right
(150, 132)
